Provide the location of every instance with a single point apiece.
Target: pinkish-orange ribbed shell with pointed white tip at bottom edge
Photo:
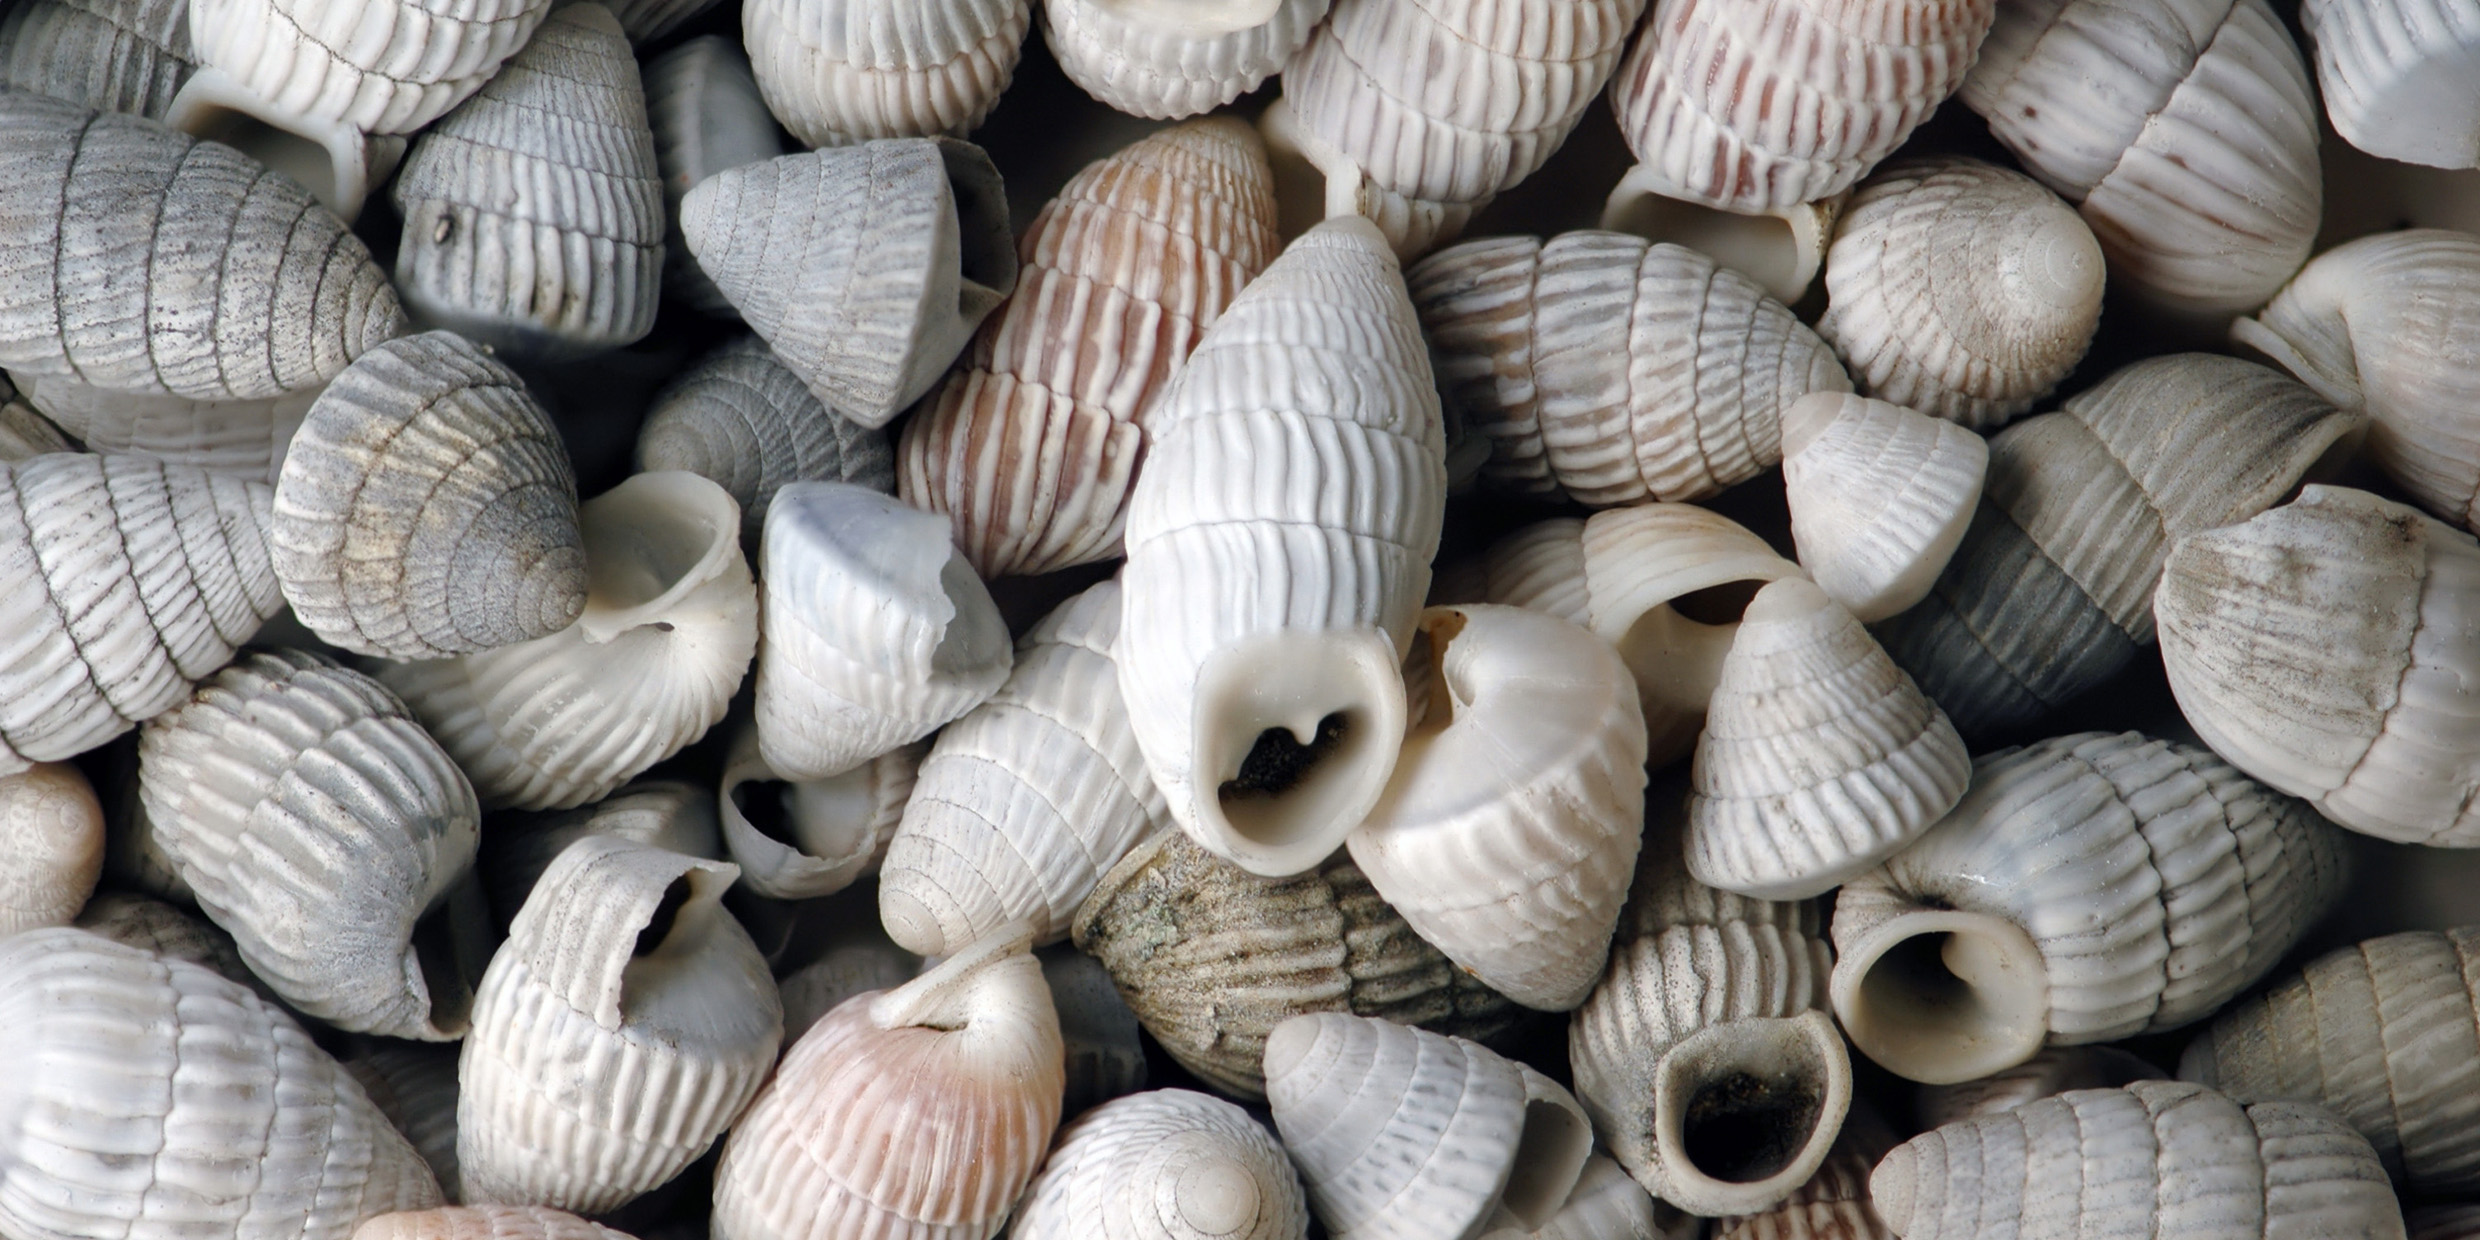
(916, 1112)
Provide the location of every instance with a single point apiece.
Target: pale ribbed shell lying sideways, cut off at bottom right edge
(2149, 1159)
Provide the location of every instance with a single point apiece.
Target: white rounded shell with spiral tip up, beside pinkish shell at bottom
(1164, 1167)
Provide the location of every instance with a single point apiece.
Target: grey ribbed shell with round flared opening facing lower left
(2087, 889)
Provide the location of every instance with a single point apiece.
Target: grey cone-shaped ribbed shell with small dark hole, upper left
(542, 242)
